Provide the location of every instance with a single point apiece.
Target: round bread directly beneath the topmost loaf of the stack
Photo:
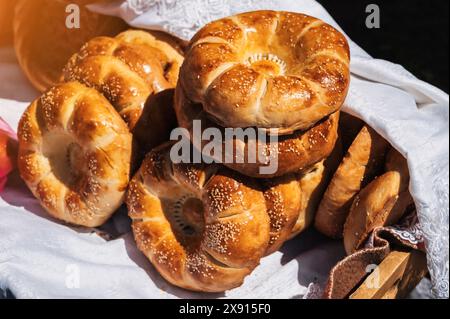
(286, 154)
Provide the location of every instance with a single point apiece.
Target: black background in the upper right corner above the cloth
(413, 33)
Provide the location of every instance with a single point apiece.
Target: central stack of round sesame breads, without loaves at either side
(206, 226)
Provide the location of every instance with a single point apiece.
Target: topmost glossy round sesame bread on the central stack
(267, 69)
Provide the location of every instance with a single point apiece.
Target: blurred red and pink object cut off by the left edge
(8, 140)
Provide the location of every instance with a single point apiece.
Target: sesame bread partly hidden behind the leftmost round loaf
(126, 69)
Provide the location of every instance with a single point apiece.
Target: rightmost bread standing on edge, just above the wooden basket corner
(381, 203)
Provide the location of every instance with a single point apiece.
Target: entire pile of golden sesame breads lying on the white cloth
(205, 226)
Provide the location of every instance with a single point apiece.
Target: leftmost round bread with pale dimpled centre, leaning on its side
(74, 154)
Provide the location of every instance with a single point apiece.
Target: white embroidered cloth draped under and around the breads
(41, 258)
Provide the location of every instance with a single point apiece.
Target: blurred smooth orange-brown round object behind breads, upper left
(46, 35)
